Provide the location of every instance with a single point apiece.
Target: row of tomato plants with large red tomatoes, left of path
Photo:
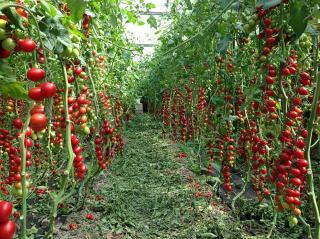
(60, 91)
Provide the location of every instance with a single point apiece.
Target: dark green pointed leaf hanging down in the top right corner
(299, 13)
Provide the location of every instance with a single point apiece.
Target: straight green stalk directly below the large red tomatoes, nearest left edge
(23, 175)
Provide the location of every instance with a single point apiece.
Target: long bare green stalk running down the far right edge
(307, 155)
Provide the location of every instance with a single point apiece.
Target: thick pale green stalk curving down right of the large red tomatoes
(58, 198)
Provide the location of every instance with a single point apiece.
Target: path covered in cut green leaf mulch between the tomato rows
(147, 193)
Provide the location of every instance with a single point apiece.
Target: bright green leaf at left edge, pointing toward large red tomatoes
(16, 90)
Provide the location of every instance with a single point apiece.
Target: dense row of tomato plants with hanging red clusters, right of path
(244, 88)
